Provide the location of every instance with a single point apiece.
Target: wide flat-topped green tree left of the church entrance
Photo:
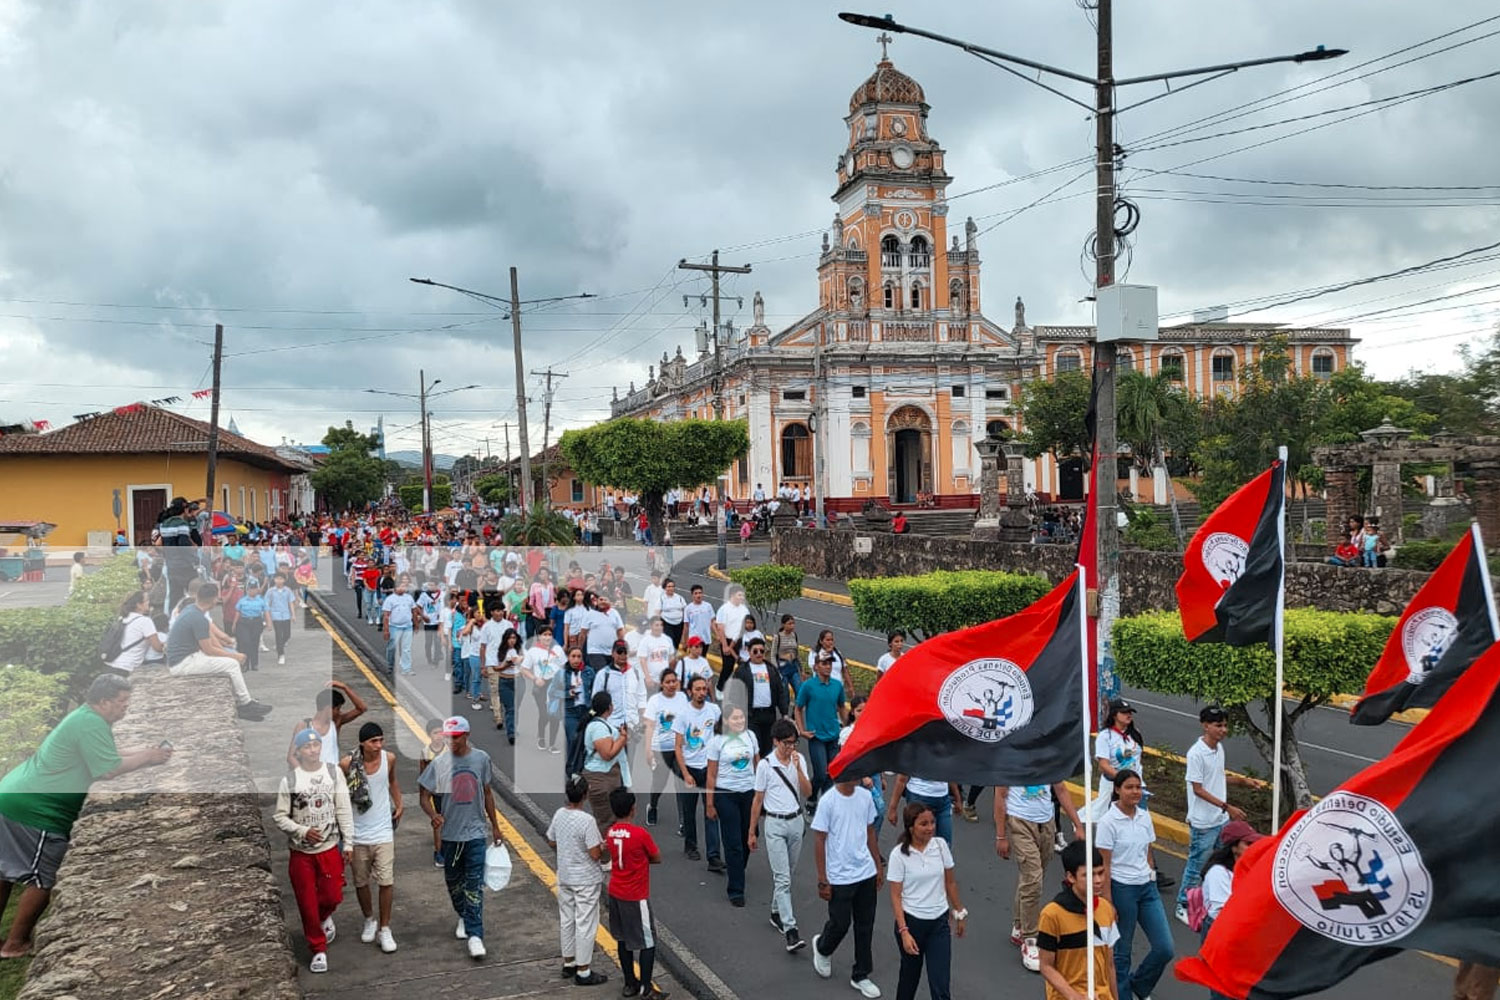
(650, 458)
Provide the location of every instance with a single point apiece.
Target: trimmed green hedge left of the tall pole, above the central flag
(925, 606)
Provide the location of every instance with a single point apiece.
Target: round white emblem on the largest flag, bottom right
(1349, 872)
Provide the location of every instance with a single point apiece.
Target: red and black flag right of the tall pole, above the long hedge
(1234, 567)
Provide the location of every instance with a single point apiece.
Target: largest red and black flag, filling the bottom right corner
(1400, 857)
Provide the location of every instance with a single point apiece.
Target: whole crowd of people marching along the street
(625, 692)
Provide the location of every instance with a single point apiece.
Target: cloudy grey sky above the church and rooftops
(286, 167)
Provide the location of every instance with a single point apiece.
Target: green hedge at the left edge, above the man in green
(64, 641)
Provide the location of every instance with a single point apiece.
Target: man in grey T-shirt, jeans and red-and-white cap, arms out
(467, 825)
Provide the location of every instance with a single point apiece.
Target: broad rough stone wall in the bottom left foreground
(167, 890)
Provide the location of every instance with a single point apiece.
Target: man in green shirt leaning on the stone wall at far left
(43, 797)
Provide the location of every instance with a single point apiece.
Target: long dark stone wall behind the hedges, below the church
(1147, 578)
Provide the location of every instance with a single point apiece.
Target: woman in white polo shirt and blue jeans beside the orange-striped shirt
(1124, 837)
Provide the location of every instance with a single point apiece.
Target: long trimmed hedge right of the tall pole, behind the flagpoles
(1327, 654)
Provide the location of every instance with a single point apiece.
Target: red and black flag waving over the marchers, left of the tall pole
(997, 704)
